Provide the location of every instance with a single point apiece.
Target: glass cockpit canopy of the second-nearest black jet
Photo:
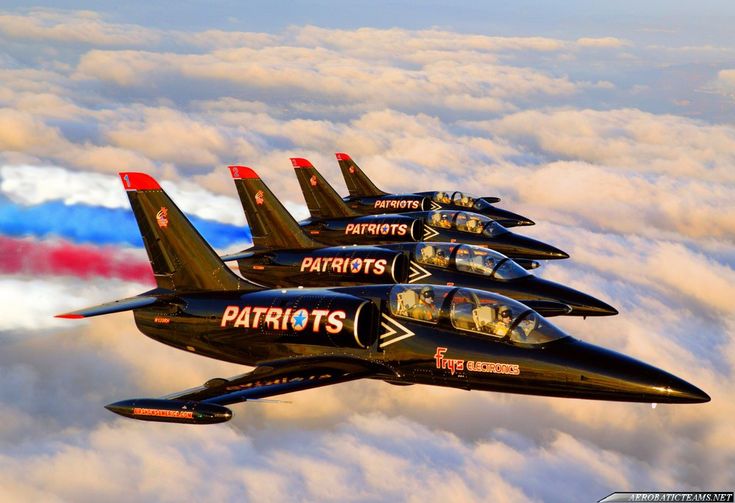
(469, 258)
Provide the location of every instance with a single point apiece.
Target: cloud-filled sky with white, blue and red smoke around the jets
(609, 124)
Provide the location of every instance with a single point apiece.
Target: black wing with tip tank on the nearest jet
(205, 404)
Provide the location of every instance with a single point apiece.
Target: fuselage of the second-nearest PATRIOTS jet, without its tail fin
(448, 264)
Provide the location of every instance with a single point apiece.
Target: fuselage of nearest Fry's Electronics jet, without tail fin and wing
(367, 322)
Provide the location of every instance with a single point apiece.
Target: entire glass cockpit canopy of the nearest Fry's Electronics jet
(473, 311)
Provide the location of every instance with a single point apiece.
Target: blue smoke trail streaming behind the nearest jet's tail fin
(97, 225)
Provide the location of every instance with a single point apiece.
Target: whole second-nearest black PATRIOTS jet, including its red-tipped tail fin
(283, 255)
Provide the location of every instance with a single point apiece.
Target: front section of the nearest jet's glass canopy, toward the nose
(497, 316)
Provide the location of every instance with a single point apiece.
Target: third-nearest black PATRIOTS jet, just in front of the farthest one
(333, 222)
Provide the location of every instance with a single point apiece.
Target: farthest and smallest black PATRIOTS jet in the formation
(365, 198)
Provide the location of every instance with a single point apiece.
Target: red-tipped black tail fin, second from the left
(271, 225)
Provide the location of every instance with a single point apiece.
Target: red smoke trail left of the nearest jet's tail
(44, 258)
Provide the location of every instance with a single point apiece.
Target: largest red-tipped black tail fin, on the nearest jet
(181, 259)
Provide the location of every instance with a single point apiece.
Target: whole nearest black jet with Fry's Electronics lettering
(306, 338)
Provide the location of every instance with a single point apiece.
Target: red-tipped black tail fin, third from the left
(322, 200)
